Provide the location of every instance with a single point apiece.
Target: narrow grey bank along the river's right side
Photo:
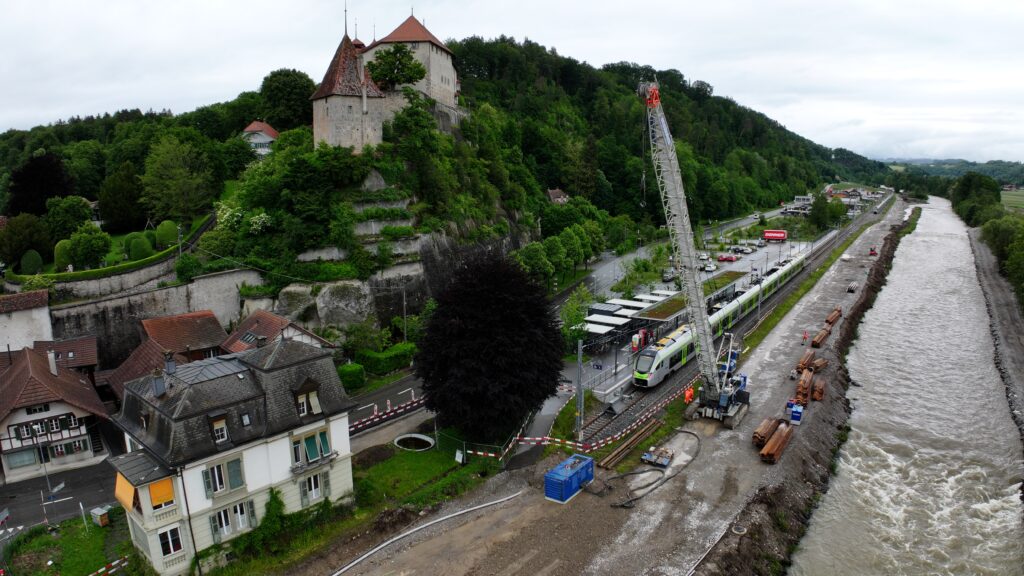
(1007, 326)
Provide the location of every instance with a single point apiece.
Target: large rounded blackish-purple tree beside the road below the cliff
(492, 351)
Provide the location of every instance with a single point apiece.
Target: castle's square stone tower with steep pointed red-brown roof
(348, 107)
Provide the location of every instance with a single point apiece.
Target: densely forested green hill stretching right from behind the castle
(582, 130)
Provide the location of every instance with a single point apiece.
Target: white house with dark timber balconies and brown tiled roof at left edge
(50, 417)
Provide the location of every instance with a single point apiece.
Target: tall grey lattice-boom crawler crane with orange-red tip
(723, 395)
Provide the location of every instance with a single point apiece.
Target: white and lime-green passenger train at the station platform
(672, 352)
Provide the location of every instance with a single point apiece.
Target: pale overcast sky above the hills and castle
(887, 78)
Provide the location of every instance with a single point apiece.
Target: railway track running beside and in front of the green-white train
(639, 401)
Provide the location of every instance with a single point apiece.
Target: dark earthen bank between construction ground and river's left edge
(766, 532)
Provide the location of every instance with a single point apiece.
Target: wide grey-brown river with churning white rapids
(929, 481)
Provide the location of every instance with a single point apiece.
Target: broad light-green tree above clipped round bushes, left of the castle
(178, 182)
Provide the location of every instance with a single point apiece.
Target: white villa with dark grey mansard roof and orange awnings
(210, 439)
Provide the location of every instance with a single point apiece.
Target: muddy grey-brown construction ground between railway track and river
(672, 529)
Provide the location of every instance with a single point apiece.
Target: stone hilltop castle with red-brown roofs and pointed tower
(350, 110)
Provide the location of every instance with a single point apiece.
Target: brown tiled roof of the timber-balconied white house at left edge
(29, 382)
